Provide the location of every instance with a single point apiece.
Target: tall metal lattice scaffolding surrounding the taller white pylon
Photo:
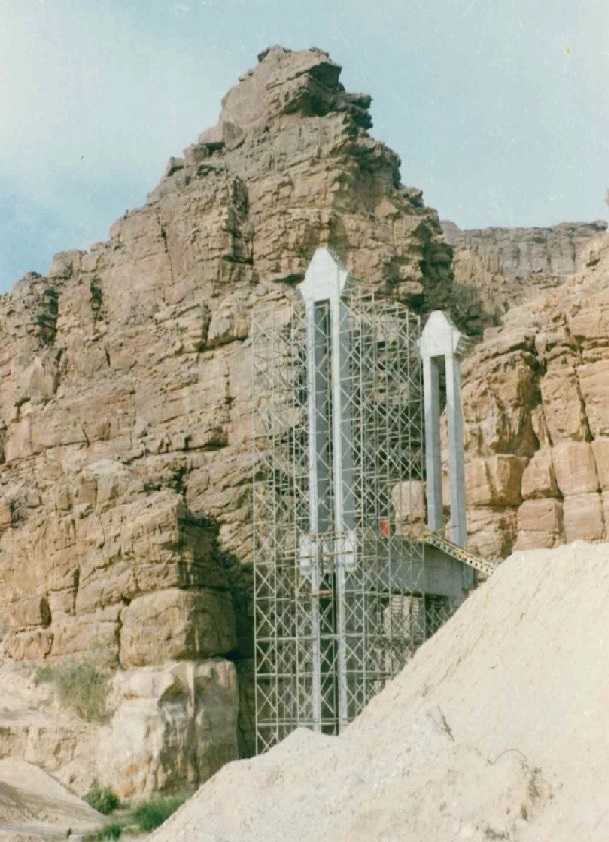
(342, 593)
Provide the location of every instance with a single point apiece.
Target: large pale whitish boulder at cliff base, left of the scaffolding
(172, 727)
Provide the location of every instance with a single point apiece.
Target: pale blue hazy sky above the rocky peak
(499, 109)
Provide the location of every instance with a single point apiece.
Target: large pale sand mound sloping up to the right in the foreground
(497, 730)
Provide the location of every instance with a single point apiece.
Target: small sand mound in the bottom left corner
(31, 800)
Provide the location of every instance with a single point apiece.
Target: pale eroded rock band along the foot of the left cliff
(167, 728)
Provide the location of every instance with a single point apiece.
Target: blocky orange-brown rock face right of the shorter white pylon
(536, 398)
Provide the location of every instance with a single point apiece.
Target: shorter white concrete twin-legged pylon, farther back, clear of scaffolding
(440, 339)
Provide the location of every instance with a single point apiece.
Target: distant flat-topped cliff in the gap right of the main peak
(495, 268)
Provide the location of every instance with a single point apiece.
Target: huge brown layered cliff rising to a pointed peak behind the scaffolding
(124, 412)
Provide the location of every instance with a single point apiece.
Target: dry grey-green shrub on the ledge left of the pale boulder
(81, 685)
